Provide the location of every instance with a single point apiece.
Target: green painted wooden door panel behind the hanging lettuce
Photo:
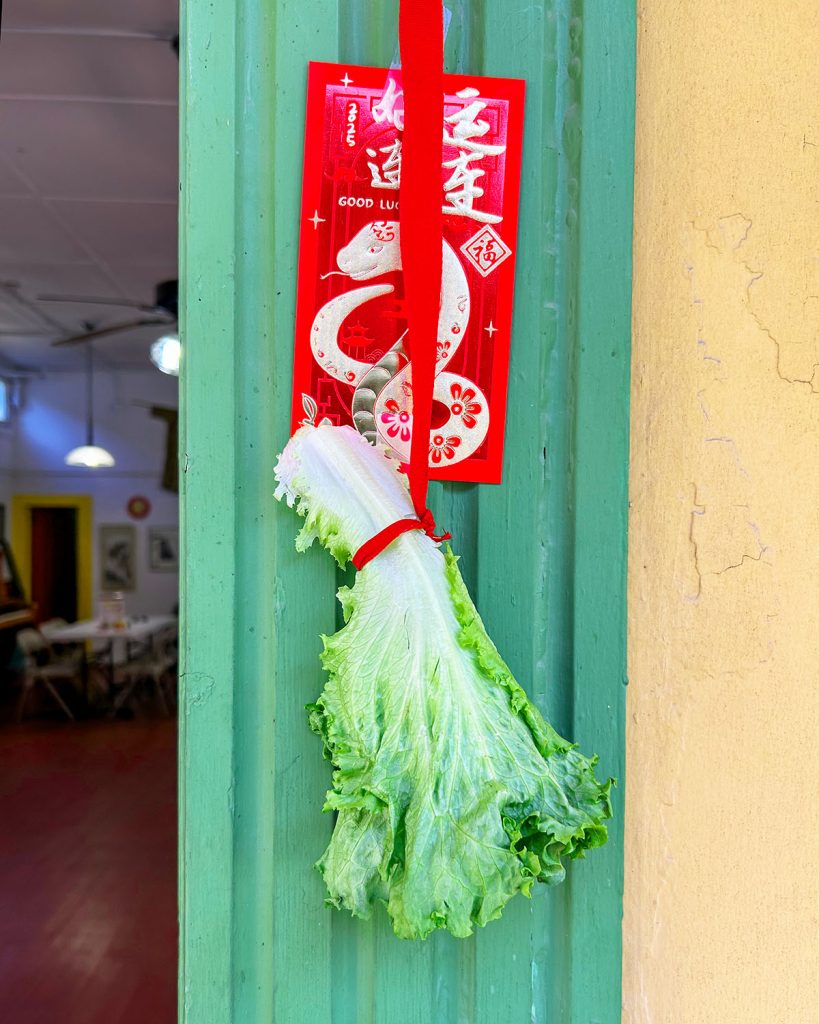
(544, 554)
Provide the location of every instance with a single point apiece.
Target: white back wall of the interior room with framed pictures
(53, 420)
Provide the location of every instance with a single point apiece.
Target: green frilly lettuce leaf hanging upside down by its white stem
(453, 793)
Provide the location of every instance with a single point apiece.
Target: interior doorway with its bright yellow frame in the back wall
(52, 541)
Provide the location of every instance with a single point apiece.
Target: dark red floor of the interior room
(89, 874)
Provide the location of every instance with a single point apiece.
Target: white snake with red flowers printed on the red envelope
(382, 400)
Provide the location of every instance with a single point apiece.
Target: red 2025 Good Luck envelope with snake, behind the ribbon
(353, 361)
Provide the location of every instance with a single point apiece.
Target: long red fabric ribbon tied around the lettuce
(421, 35)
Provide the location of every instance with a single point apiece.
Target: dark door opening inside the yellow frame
(55, 563)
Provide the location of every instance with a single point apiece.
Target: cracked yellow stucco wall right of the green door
(722, 916)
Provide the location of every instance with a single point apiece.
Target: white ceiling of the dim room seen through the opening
(89, 173)
